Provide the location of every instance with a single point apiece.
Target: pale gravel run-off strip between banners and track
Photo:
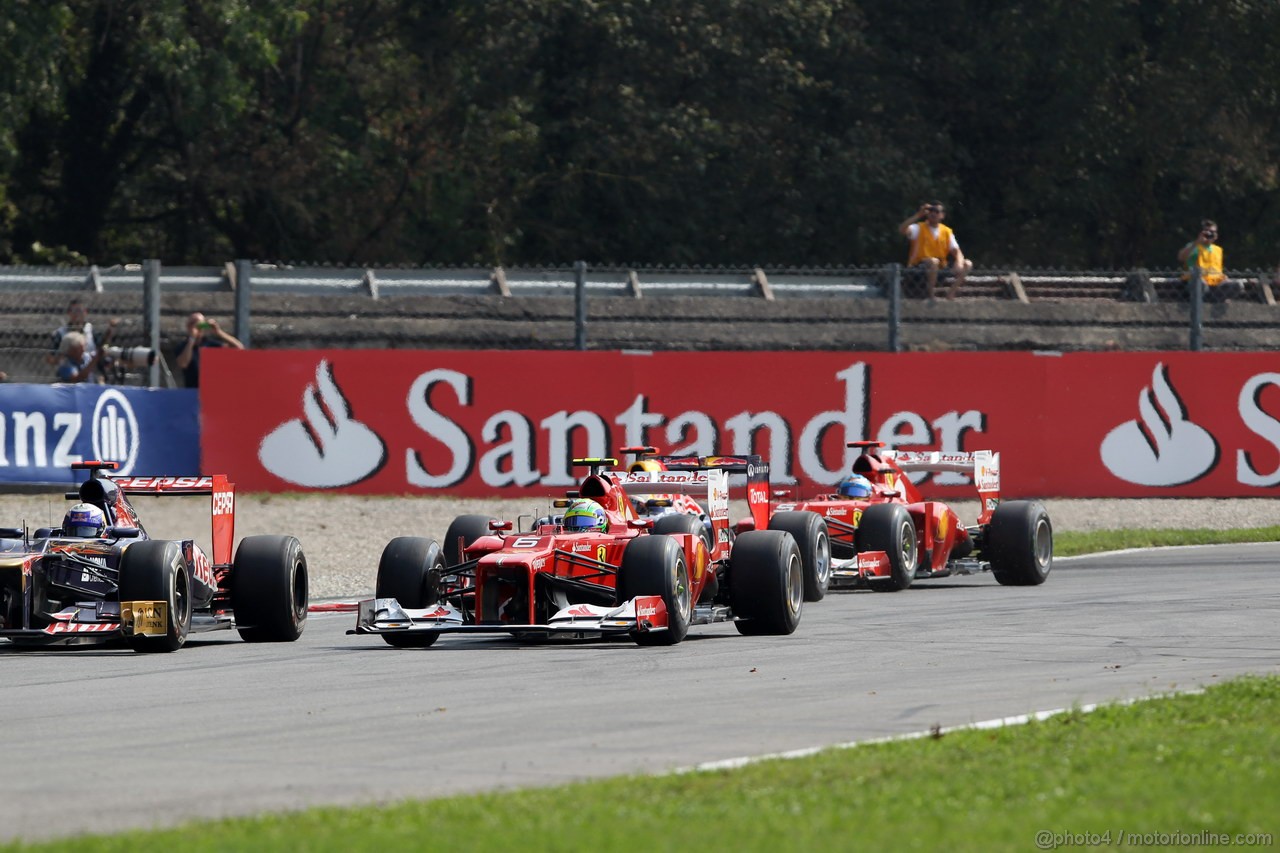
(344, 536)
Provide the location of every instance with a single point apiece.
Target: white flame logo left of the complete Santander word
(326, 449)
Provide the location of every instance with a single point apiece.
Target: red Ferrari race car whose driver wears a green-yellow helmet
(597, 568)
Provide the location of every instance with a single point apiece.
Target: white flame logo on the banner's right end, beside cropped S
(1162, 449)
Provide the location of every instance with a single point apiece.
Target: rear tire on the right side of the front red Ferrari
(766, 583)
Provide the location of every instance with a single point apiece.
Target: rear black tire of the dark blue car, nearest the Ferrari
(271, 590)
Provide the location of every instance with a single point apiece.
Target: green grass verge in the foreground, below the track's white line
(1186, 764)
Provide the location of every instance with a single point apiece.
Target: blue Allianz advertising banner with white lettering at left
(147, 431)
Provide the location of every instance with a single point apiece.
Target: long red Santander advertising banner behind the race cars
(395, 422)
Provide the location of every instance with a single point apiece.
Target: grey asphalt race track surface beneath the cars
(100, 740)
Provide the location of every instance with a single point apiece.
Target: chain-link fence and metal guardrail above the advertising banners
(582, 307)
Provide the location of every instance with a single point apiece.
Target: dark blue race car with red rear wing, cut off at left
(102, 577)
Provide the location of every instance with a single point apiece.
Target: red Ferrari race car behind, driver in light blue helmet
(881, 533)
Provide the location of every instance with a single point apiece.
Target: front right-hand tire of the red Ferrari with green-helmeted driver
(656, 567)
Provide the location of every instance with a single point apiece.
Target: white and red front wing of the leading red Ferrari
(386, 617)
